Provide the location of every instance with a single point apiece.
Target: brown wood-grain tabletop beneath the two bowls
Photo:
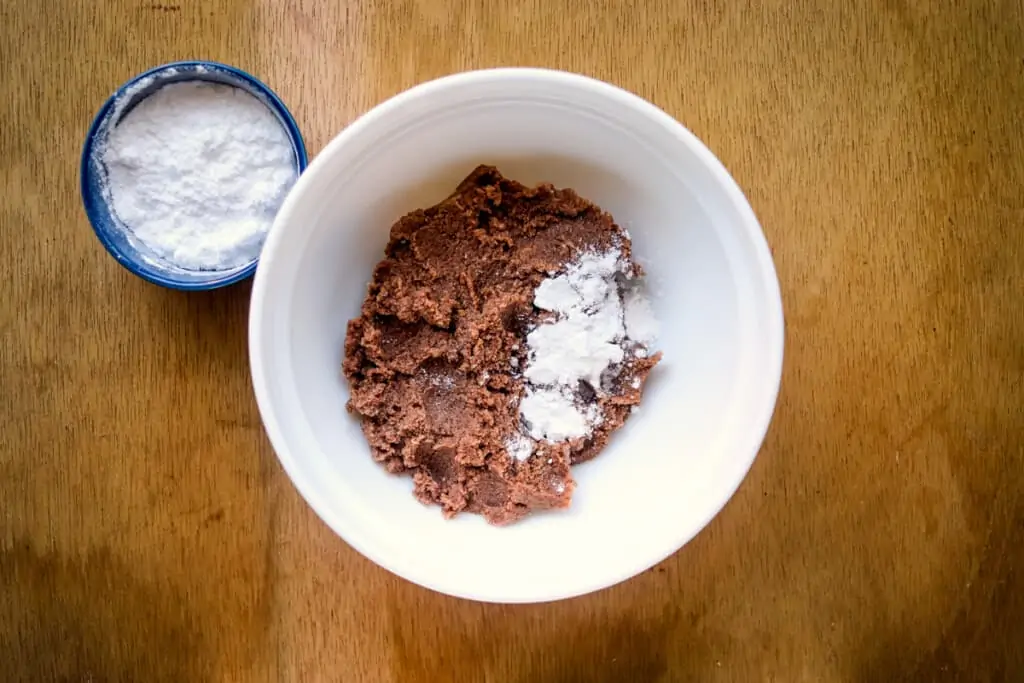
(149, 534)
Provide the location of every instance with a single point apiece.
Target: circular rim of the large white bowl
(772, 290)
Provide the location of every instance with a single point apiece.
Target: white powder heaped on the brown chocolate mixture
(573, 352)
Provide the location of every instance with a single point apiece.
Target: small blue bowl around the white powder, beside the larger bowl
(129, 252)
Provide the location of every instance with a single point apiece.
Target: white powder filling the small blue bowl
(197, 173)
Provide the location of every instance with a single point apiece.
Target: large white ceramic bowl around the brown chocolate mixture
(708, 406)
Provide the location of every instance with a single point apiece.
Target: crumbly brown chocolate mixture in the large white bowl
(433, 360)
